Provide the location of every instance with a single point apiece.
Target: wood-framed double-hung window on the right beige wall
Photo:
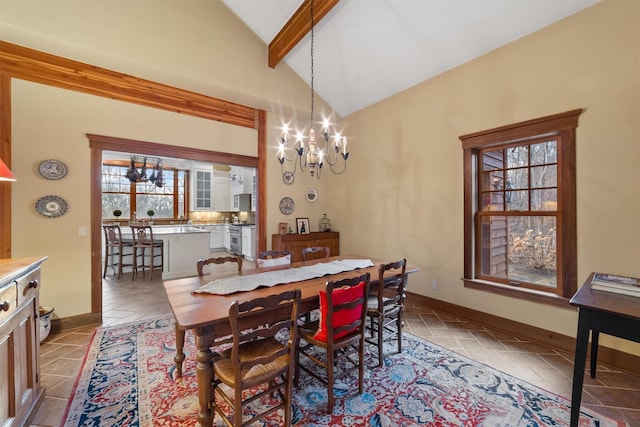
(520, 209)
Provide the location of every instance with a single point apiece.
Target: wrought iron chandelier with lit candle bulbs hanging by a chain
(312, 156)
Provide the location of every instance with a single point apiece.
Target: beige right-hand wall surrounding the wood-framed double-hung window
(590, 60)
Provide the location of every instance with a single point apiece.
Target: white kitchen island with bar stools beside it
(183, 246)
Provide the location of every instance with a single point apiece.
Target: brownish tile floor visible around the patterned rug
(612, 393)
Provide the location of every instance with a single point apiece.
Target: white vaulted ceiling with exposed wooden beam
(368, 50)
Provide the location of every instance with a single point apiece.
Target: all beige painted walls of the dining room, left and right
(402, 193)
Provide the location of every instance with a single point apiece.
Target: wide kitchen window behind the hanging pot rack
(118, 192)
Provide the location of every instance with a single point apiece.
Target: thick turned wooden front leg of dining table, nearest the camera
(204, 374)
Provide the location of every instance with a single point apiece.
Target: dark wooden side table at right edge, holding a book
(600, 311)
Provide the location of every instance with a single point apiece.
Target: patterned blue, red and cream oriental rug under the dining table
(128, 380)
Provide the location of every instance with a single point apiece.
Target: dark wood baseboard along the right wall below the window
(608, 356)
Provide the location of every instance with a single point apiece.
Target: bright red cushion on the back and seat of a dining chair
(342, 317)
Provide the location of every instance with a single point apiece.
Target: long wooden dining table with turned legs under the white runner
(207, 314)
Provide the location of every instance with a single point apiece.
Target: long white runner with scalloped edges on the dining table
(230, 285)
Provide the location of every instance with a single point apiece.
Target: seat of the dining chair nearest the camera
(251, 350)
